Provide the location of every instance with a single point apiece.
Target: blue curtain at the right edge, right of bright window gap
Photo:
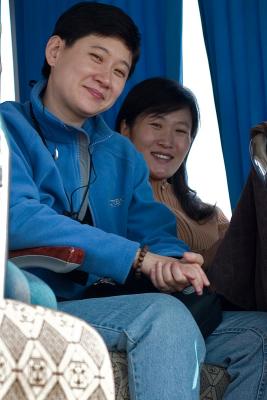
(235, 33)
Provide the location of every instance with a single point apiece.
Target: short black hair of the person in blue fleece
(91, 18)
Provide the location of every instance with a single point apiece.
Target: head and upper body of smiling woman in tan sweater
(161, 118)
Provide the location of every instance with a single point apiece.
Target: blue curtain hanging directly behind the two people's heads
(160, 23)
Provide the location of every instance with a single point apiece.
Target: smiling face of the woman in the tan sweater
(164, 140)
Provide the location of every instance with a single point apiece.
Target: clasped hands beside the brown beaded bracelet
(171, 275)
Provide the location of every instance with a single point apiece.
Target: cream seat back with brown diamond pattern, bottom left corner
(49, 355)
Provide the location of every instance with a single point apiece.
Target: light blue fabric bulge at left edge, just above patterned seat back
(28, 288)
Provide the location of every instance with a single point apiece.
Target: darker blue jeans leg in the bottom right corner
(240, 345)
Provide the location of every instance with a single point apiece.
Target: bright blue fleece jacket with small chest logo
(124, 214)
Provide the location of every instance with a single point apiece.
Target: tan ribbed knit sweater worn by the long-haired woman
(202, 237)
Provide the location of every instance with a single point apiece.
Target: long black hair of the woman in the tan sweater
(159, 96)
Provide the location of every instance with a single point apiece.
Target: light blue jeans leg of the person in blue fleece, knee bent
(162, 341)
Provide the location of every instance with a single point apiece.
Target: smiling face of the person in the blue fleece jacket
(86, 78)
